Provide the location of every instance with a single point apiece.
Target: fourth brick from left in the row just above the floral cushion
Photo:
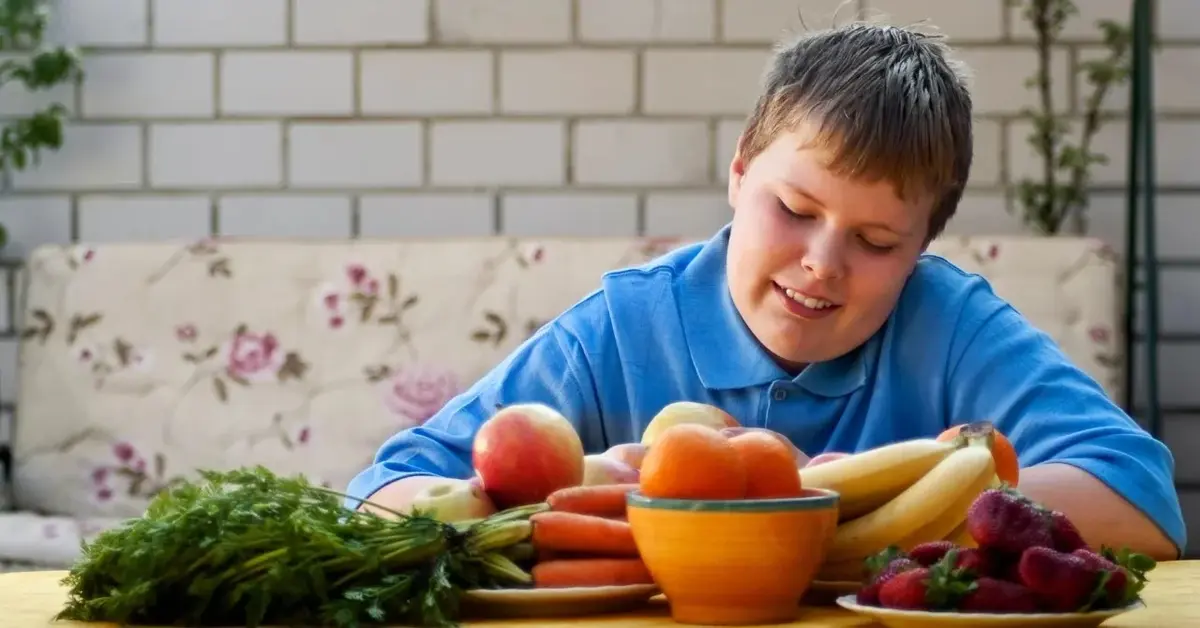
(427, 216)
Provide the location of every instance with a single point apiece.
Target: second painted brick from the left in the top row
(220, 22)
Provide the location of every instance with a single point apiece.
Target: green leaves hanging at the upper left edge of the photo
(29, 63)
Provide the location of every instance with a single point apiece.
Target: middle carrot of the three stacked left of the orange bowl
(571, 533)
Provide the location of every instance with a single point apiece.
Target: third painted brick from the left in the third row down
(355, 154)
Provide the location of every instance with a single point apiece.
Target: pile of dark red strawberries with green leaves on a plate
(1028, 560)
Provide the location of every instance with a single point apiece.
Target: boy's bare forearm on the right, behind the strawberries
(1102, 517)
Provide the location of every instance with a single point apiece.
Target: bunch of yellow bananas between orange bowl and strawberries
(902, 494)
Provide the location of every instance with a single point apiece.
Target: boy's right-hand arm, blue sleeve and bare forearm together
(1081, 453)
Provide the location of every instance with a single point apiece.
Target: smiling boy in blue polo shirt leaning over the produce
(815, 314)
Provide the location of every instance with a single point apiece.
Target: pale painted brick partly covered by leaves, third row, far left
(93, 158)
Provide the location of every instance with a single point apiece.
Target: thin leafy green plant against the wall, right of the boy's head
(1057, 201)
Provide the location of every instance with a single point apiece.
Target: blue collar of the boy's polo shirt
(725, 354)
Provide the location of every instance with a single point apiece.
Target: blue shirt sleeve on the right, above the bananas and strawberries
(1015, 375)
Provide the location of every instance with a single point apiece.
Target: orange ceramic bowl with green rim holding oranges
(736, 563)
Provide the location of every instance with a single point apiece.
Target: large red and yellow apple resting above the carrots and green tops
(525, 453)
